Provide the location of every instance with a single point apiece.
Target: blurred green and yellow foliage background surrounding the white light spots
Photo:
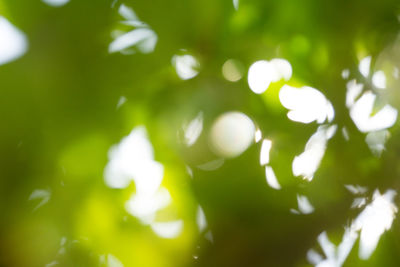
(59, 118)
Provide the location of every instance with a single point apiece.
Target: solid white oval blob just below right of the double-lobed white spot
(306, 104)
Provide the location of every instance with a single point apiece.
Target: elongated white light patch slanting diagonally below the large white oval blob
(307, 163)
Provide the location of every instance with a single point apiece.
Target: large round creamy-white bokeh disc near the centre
(231, 134)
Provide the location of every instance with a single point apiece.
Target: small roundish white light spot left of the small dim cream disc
(186, 66)
